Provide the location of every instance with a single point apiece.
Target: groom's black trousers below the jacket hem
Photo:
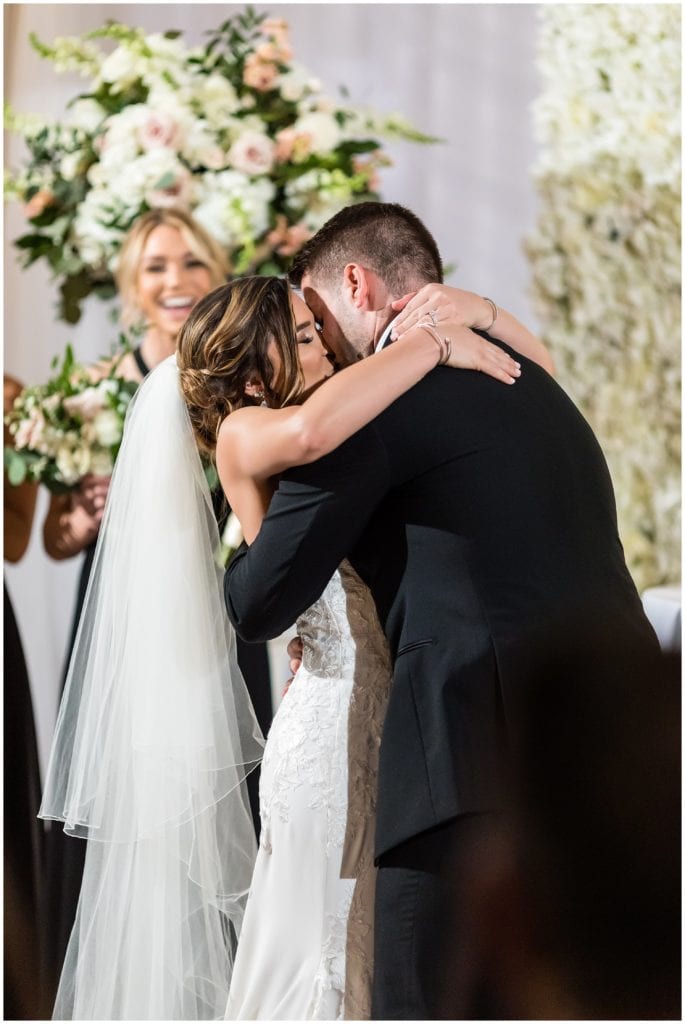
(422, 966)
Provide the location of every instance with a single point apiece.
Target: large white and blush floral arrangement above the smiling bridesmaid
(235, 132)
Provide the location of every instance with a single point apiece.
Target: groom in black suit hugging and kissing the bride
(483, 519)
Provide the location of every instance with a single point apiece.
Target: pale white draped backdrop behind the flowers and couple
(464, 72)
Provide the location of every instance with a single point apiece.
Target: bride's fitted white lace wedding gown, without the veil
(306, 951)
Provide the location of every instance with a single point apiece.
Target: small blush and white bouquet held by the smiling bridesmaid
(70, 426)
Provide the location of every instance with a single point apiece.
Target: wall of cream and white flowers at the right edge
(607, 252)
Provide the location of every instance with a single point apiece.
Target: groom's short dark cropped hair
(384, 237)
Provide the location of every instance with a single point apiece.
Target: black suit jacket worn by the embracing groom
(483, 519)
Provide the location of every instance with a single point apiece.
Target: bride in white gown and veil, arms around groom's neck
(156, 734)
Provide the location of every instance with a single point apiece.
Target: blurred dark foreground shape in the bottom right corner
(574, 897)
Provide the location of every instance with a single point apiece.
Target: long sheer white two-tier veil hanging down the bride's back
(154, 741)
